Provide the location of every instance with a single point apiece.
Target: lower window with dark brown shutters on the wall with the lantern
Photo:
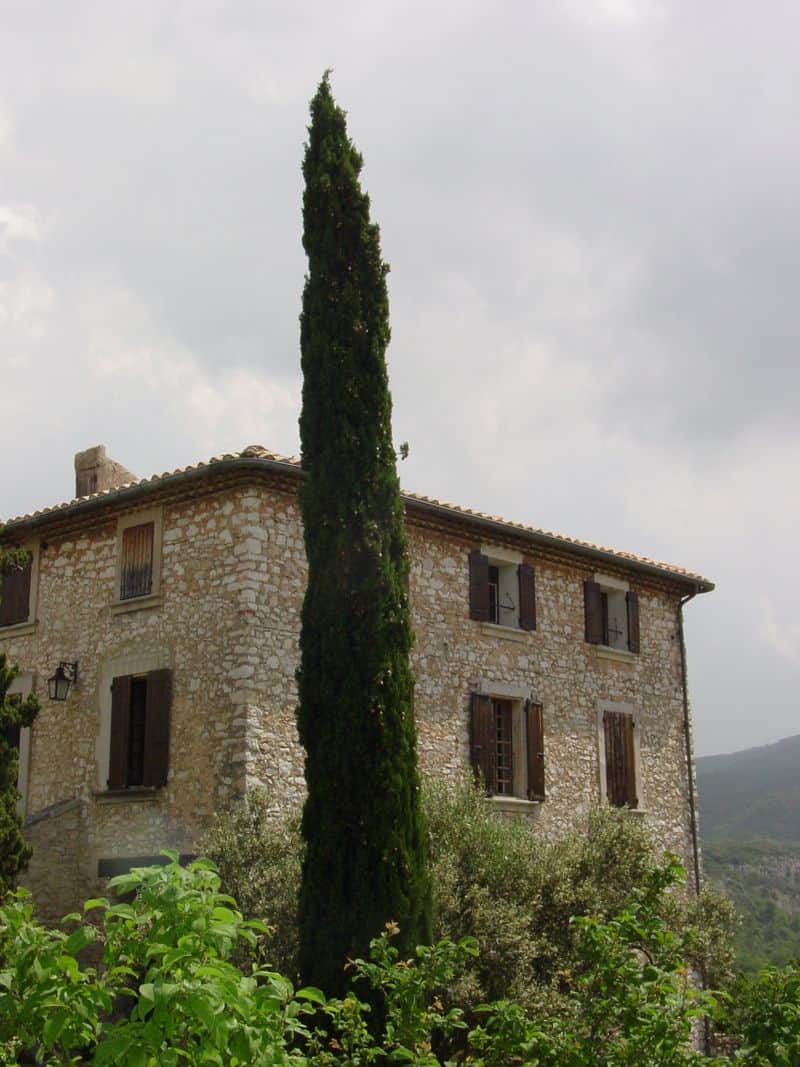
(140, 730)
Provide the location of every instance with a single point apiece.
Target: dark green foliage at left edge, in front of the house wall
(14, 714)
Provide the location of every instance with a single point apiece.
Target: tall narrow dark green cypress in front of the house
(365, 861)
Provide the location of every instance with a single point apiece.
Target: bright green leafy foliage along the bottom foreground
(169, 992)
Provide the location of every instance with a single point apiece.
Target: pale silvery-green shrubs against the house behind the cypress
(495, 881)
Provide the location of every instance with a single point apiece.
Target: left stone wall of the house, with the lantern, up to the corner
(198, 627)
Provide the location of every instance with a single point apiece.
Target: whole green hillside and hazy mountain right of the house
(750, 824)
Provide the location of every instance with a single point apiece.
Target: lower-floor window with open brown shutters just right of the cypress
(507, 746)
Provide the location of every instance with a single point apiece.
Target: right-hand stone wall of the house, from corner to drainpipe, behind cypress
(455, 656)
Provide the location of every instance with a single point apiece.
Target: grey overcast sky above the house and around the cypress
(591, 213)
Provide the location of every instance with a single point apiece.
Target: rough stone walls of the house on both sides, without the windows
(226, 620)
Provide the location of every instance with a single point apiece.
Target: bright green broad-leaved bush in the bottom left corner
(167, 961)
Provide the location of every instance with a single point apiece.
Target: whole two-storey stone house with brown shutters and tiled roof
(171, 607)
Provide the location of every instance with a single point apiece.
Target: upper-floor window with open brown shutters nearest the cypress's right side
(502, 592)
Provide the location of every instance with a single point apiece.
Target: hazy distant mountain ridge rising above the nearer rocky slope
(751, 795)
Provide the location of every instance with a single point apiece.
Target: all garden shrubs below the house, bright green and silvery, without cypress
(593, 958)
